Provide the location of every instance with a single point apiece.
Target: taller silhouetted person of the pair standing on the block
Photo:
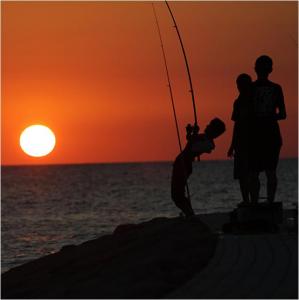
(269, 107)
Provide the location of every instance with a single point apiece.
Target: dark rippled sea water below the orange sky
(46, 207)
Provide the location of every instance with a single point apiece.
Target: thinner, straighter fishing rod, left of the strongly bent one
(170, 89)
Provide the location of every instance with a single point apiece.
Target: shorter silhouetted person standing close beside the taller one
(241, 139)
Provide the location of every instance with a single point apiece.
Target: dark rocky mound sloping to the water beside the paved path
(147, 260)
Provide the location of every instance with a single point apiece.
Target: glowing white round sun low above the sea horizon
(37, 140)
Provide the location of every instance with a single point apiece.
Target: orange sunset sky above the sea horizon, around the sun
(93, 72)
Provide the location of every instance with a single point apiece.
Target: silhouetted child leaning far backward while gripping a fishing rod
(182, 168)
